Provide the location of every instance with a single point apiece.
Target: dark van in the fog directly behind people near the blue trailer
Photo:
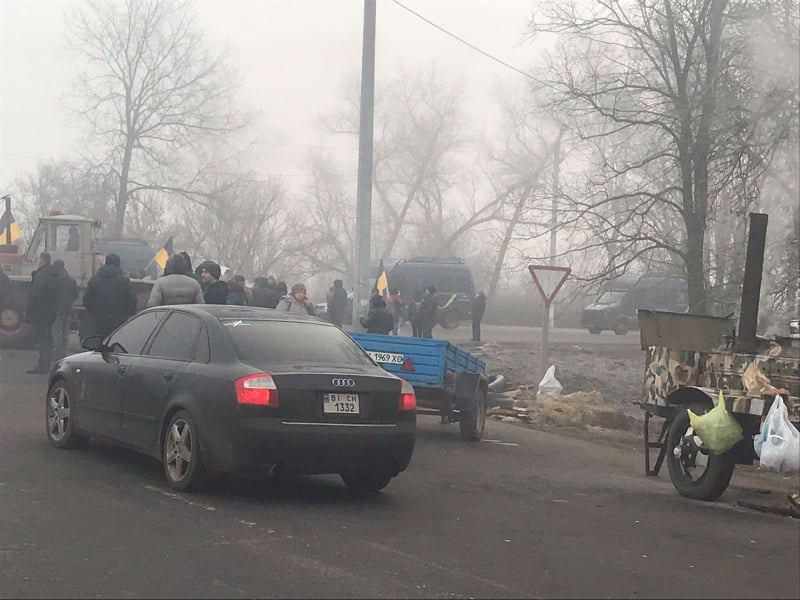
(451, 277)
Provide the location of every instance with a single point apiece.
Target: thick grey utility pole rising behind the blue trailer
(365, 162)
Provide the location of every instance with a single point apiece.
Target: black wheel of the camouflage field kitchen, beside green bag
(709, 485)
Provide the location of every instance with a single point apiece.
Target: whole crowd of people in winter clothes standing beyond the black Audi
(110, 299)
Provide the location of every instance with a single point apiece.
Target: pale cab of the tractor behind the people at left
(70, 238)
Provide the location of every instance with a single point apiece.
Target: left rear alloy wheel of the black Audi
(182, 459)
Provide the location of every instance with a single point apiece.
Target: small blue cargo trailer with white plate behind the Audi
(448, 381)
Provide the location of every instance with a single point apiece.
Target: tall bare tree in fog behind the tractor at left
(150, 89)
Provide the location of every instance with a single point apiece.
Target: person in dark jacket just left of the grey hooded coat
(109, 298)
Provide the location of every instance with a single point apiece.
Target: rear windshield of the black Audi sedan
(293, 343)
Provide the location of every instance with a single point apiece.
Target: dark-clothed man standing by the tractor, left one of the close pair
(42, 310)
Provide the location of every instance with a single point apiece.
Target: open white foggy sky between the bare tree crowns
(292, 57)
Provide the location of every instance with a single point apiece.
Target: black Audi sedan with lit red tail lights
(210, 389)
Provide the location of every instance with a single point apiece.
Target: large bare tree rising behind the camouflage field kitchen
(670, 83)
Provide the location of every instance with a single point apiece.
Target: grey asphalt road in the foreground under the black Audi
(523, 514)
